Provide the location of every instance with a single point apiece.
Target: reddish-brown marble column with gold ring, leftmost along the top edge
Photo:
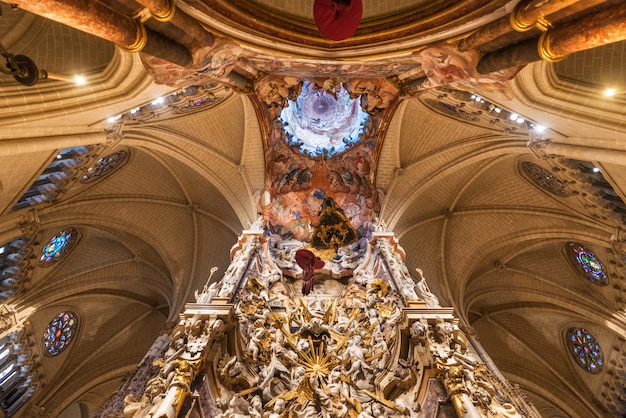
(97, 19)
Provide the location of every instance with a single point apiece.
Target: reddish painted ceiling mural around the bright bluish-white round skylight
(321, 146)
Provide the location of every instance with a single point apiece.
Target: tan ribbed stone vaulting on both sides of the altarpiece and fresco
(449, 179)
